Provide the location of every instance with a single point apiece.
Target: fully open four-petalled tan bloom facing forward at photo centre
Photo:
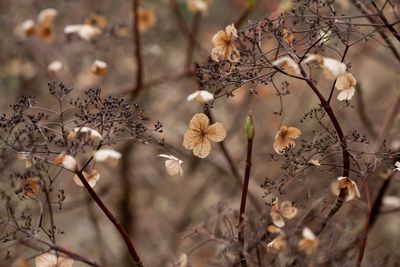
(200, 132)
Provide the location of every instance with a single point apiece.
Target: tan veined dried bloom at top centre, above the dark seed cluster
(224, 45)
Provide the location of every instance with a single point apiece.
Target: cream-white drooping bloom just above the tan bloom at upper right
(332, 68)
